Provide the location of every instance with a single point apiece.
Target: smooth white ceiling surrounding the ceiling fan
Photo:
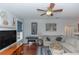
(28, 10)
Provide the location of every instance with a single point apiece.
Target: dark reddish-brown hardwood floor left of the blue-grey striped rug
(30, 50)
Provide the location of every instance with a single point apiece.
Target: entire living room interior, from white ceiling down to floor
(44, 34)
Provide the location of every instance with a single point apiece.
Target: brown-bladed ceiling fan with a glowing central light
(50, 10)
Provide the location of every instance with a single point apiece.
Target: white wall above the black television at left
(9, 20)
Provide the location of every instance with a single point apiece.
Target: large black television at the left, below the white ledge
(7, 37)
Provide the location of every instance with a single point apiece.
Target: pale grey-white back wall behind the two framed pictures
(41, 26)
